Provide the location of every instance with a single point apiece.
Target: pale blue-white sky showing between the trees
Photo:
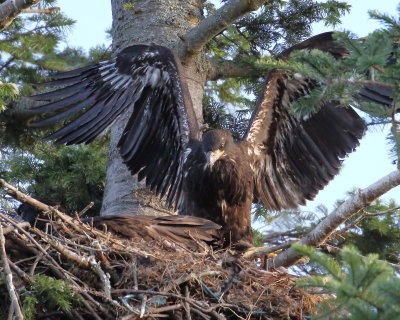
(371, 160)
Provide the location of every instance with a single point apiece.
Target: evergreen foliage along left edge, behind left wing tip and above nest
(29, 53)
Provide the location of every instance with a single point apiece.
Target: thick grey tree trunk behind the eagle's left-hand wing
(164, 23)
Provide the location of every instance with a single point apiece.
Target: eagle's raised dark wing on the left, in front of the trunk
(143, 82)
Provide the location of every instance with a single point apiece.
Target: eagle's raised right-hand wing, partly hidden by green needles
(293, 159)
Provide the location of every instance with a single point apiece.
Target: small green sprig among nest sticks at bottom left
(49, 294)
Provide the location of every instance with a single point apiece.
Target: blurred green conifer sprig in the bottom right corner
(362, 288)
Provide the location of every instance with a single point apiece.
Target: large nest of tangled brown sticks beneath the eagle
(116, 278)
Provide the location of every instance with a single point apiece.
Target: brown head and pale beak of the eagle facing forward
(215, 145)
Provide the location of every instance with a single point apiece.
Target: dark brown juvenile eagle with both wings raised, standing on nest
(281, 161)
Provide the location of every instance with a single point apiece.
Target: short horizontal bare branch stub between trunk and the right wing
(223, 69)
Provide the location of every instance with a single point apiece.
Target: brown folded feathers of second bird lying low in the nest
(186, 230)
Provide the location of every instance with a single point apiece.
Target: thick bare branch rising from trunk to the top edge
(198, 37)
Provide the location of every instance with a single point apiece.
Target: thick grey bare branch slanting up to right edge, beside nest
(327, 226)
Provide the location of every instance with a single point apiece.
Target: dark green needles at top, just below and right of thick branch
(277, 21)
